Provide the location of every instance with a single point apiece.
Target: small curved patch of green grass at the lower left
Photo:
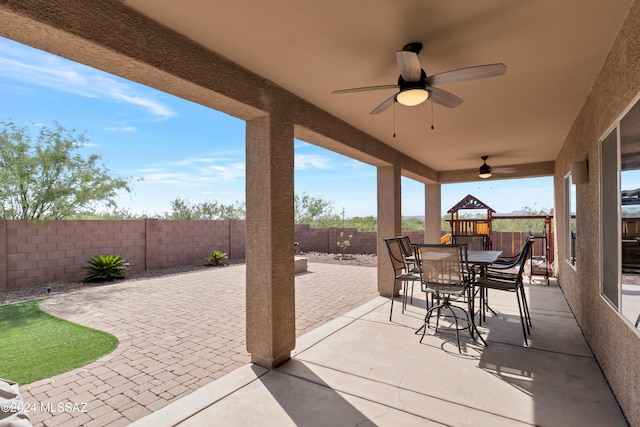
(35, 345)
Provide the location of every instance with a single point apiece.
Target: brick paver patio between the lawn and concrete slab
(176, 334)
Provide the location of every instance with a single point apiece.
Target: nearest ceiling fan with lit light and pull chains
(415, 86)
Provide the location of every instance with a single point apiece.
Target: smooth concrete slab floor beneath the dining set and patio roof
(361, 369)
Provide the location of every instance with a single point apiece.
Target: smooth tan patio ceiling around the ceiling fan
(553, 51)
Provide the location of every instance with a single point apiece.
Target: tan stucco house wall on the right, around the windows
(615, 344)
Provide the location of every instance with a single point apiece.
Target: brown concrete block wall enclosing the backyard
(37, 253)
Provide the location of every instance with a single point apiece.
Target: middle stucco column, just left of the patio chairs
(389, 223)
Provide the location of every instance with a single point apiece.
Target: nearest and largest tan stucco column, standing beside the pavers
(269, 240)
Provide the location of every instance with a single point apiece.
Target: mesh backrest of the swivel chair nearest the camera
(443, 265)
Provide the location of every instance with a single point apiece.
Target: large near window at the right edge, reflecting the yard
(620, 189)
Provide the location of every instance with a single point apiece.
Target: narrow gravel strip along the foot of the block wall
(40, 290)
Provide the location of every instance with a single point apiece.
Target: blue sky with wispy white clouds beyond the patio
(181, 149)
